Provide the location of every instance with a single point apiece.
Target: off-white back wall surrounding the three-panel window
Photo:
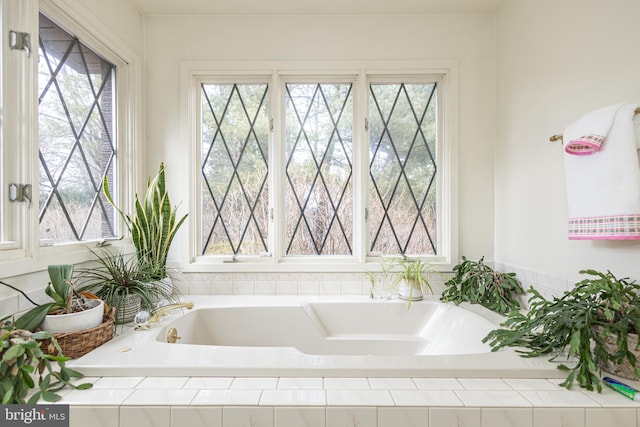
(468, 39)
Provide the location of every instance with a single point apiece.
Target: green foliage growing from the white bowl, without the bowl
(64, 298)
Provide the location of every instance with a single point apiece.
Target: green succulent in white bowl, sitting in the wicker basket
(68, 311)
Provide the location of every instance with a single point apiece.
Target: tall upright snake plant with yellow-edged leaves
(153, 225)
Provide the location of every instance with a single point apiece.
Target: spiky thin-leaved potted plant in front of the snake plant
(123, 283)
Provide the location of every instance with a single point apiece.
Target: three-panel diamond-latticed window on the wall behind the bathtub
(286, 171)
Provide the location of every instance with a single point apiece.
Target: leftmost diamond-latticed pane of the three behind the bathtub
(235, 135)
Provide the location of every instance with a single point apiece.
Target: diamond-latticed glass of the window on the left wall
(76, 131)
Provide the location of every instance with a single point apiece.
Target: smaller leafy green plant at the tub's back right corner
(477, 283)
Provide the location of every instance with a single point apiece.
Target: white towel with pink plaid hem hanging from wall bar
(603, 189)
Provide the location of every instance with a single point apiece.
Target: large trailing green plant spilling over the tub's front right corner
(576, 326)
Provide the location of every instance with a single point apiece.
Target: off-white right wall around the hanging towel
(556, 60)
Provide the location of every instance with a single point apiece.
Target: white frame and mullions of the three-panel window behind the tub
(362, 73)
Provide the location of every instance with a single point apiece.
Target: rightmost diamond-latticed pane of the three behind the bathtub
(402, 185)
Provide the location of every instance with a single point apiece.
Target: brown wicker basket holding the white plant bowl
(79, 343)
